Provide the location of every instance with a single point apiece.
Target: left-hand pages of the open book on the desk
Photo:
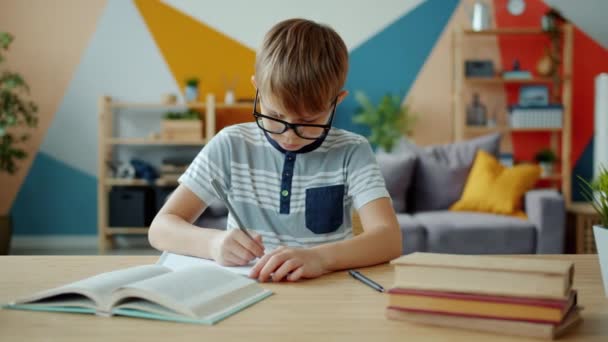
(93, 291)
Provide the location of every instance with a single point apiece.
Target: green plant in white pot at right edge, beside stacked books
(596, 193)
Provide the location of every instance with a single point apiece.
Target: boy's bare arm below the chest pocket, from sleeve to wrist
(379, 242)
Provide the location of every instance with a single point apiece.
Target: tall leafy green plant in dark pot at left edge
(16, 115)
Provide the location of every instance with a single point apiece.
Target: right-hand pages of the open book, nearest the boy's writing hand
(191, 291)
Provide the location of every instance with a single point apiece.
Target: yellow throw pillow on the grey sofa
(494, 188)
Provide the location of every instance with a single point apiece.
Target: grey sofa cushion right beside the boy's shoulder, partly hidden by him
(397, 170)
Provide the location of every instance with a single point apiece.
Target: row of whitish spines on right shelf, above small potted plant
(549, 116)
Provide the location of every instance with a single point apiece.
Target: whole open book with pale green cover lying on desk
(203, 294)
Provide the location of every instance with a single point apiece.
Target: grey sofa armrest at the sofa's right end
(546, 210)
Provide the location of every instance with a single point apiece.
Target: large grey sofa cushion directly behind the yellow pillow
(442, 170)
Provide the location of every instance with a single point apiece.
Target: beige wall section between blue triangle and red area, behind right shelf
(431, 94)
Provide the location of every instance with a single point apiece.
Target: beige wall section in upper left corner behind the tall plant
(50, 38)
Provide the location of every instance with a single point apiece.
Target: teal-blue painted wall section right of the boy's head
(391, 60)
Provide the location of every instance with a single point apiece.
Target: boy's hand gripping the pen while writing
(233, 248)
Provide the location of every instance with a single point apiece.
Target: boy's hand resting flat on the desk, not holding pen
(290, 264)
